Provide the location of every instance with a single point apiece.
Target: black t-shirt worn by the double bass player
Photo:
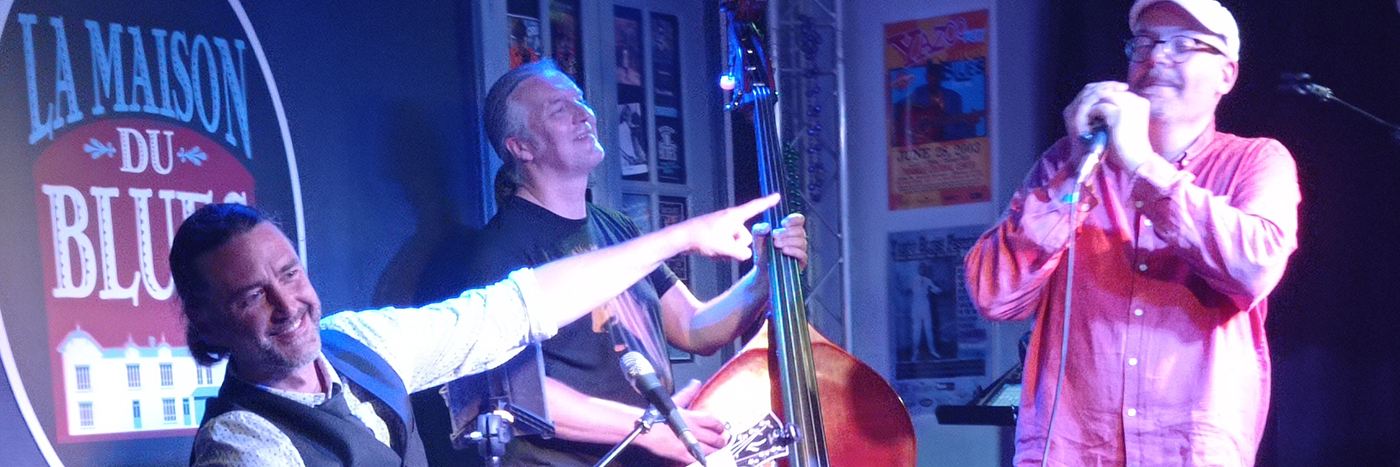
(586, 353)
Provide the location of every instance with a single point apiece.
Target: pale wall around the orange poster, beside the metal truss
(1016, 107)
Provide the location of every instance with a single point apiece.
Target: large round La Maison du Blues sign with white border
(124, 120)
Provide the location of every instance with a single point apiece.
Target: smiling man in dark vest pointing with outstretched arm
(304, 391)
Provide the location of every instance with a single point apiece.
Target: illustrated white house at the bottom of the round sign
(131, 388)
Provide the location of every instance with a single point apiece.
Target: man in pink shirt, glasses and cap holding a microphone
(1178, 240)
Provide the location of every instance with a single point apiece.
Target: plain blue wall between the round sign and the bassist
(384, 121)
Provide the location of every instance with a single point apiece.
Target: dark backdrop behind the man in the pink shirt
(1332, 324)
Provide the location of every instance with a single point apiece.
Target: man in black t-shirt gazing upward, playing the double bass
(547, 136)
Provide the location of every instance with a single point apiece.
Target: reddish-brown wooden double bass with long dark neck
(835, 410)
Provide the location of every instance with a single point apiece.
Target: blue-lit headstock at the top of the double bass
(748, 65)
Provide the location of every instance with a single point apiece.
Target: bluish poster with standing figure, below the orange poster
(940, 343)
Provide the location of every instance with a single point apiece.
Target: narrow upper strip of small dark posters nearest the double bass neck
(666, 80)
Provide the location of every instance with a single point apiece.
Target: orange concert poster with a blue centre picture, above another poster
(936, 76)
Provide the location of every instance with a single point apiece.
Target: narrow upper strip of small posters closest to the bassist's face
(632, 108)
